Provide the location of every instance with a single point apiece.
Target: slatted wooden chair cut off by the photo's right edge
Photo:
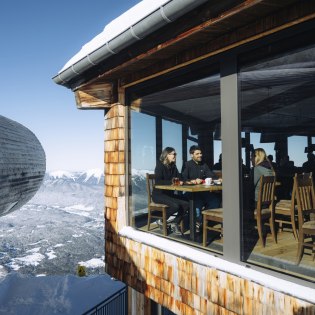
(305, 198)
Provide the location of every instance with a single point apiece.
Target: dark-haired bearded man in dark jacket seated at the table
(195, 171)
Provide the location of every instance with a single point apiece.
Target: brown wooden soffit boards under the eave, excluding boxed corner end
(215, 36)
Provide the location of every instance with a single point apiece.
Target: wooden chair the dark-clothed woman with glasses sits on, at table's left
(155, 210)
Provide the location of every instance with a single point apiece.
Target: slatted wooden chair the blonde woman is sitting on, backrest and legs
(265, 210)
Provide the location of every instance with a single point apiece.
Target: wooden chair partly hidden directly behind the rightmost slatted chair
(286, 210)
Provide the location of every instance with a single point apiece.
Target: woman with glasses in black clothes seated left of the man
(165, 171)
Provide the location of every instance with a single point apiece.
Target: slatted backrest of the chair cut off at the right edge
(305, 195)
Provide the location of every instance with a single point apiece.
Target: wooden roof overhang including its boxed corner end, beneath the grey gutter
(207, 30)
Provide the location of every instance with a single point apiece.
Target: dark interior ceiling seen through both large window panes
(276, 95)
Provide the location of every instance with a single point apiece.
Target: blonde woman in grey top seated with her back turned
(261, 166)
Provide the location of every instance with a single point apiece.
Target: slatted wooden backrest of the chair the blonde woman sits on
(266, 195)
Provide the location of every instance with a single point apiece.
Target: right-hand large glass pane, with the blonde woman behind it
(277, 123)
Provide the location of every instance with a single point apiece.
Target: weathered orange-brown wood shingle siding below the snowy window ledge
(186, 287)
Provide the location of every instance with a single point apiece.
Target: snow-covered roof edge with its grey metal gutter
(135, 24)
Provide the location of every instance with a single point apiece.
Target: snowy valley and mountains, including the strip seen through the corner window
(62, 225)
